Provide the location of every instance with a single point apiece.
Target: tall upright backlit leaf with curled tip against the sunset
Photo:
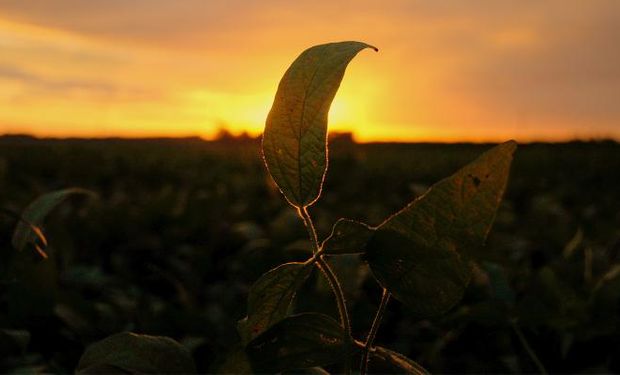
(295, 137)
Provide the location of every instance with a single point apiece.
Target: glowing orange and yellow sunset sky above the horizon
(446, 70)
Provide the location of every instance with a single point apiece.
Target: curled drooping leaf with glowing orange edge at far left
(27, 230)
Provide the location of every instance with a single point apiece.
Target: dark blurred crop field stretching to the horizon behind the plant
(182, 228)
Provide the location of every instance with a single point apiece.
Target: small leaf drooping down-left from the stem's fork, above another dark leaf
(270, 297)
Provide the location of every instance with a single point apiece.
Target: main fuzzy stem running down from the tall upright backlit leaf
(333, 282)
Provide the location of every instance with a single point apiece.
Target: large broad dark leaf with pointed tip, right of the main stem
(422, 253)
